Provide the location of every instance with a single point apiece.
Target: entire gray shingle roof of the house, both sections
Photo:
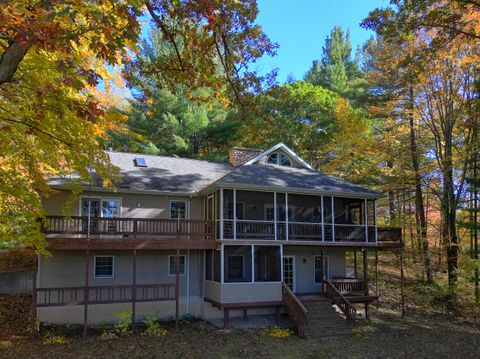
(183, 175)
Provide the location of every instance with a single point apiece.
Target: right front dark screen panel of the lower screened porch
(267, 264)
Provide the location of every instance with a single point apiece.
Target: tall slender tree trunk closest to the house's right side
(419, 207)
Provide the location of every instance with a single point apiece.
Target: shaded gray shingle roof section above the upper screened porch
(293, 178)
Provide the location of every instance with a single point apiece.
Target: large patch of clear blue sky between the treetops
(301, 26)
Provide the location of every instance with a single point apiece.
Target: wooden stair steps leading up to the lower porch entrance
(323, 319)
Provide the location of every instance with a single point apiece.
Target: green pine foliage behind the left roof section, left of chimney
(172, 122)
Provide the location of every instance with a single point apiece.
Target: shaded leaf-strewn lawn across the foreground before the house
(386, 336)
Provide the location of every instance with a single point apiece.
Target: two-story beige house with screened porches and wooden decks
(189, 237)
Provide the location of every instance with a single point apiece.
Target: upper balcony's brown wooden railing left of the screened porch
(82, 225)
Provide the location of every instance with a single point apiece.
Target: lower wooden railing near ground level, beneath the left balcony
(61, 296)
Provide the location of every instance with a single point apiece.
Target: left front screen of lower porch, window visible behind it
(237, 264)
